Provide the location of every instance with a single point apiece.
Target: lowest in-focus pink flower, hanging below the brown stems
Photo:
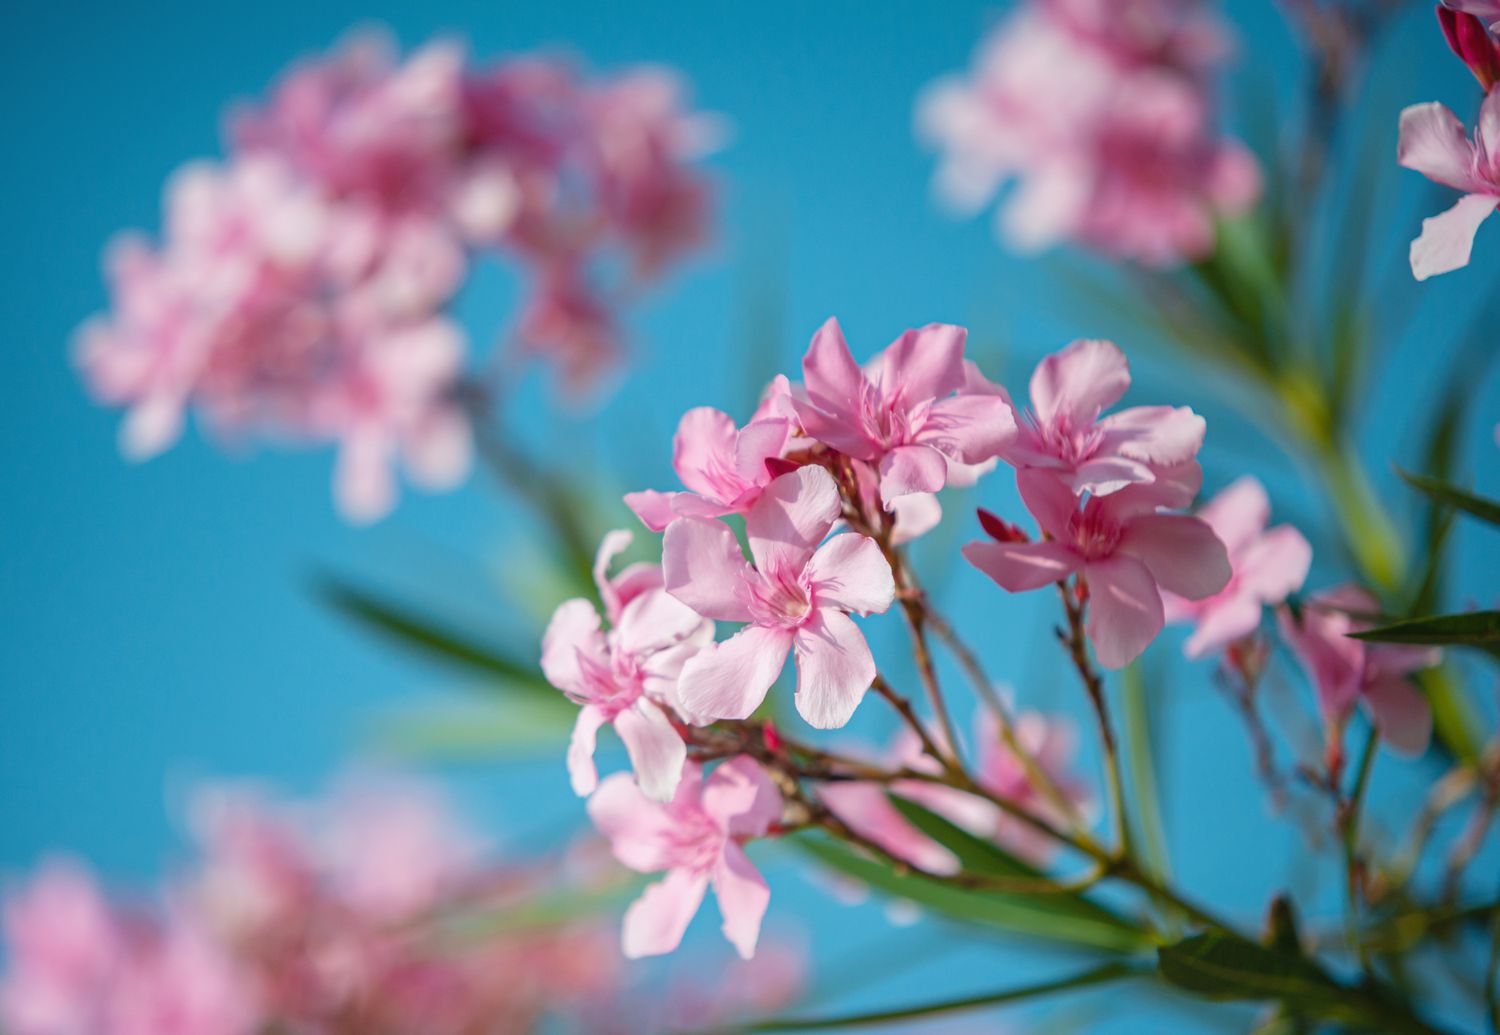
(697, 839)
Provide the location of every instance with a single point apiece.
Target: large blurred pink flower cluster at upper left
(301, 287)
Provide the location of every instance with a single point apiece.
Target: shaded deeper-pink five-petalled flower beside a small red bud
(1123, 547)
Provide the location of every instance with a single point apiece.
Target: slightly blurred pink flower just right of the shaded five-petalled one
(1267, 565)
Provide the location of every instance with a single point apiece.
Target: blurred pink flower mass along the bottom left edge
(332, 919)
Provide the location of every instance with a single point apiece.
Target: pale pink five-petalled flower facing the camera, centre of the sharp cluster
(797, 598)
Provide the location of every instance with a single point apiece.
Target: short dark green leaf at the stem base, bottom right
(1223, 967)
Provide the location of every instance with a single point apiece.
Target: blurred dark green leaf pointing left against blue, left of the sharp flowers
(434, 640)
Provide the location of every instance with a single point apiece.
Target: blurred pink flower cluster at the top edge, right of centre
(1103, 113)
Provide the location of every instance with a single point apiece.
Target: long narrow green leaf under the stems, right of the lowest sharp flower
(1030, 917)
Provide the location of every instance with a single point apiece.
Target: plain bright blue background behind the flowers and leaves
(155, 625)
